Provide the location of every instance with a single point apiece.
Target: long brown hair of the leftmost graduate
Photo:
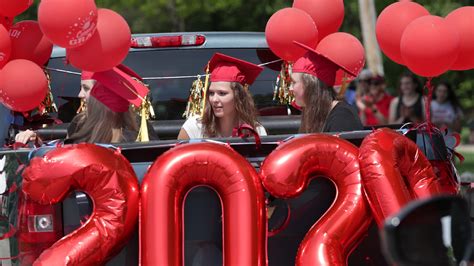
(99, 124)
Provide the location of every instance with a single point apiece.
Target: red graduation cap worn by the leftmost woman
(117, 88)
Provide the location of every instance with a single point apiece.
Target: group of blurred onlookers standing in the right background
(376, 107)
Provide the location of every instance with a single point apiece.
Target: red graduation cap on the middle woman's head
(230, 69)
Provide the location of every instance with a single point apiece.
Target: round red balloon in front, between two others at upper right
(429, 46)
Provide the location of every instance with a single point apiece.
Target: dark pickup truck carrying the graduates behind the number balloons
(169, 63)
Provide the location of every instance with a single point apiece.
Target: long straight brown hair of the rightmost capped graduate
(318, 98)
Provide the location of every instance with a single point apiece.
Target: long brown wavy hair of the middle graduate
(244, 107)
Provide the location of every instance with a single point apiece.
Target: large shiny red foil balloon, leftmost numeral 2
(105, 176)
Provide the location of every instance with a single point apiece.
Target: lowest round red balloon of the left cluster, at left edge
(23, 85)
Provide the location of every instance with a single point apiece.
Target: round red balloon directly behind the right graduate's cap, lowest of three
(347, 51)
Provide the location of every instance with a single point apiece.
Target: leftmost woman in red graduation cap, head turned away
(108, 117)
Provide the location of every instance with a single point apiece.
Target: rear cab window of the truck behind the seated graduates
(169, 95)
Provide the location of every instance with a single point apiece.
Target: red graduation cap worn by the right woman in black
(318, 65)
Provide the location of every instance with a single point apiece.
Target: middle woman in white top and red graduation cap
(229, 103)
